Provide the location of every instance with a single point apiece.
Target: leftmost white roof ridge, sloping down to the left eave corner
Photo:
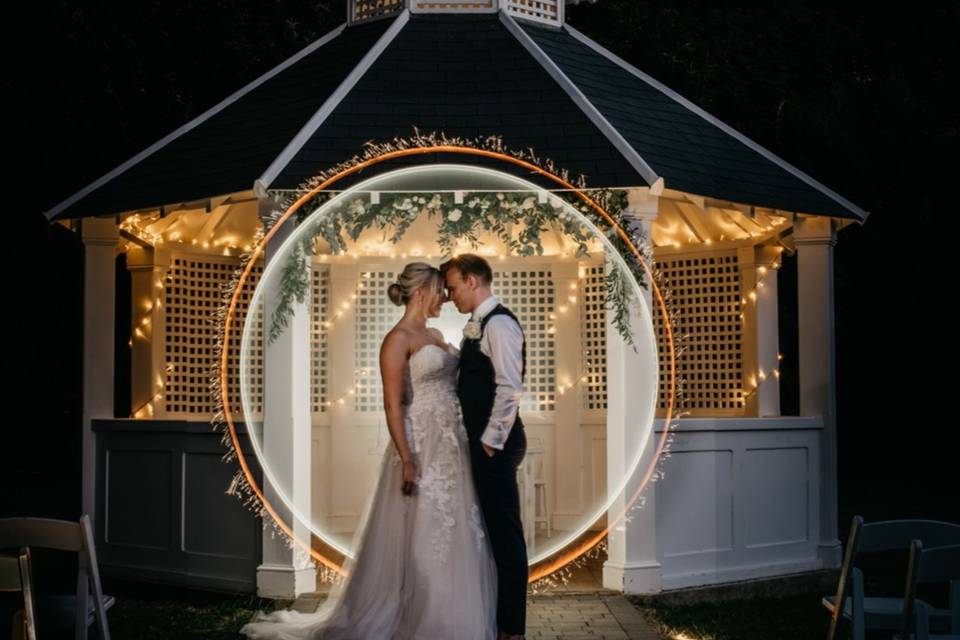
(191, 124)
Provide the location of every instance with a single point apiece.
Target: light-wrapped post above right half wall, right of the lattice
(761, 334)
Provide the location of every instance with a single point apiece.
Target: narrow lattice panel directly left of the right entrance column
(593, 336)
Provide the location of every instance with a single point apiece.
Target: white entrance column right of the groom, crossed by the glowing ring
(632, 564)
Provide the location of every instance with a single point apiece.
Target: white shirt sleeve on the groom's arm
(503, 343)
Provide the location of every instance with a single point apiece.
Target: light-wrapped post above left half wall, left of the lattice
(148, 269)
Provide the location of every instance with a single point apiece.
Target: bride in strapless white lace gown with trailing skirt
(423, 566)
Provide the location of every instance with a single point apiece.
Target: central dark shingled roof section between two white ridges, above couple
(465, 75)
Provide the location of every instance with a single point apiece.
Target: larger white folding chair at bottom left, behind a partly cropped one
(65, 535)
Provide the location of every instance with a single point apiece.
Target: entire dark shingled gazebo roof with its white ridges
(470, 75)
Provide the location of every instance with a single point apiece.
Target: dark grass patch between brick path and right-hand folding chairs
(792, 618)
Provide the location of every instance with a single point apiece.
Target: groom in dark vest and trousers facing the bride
(490, 384)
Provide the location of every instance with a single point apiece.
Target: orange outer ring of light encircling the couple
(562, 559)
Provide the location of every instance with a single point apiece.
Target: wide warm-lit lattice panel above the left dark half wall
(190, 298)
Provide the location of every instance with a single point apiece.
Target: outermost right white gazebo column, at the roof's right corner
(815, 237)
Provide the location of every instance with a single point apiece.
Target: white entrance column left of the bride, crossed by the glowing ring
(286, 572)
